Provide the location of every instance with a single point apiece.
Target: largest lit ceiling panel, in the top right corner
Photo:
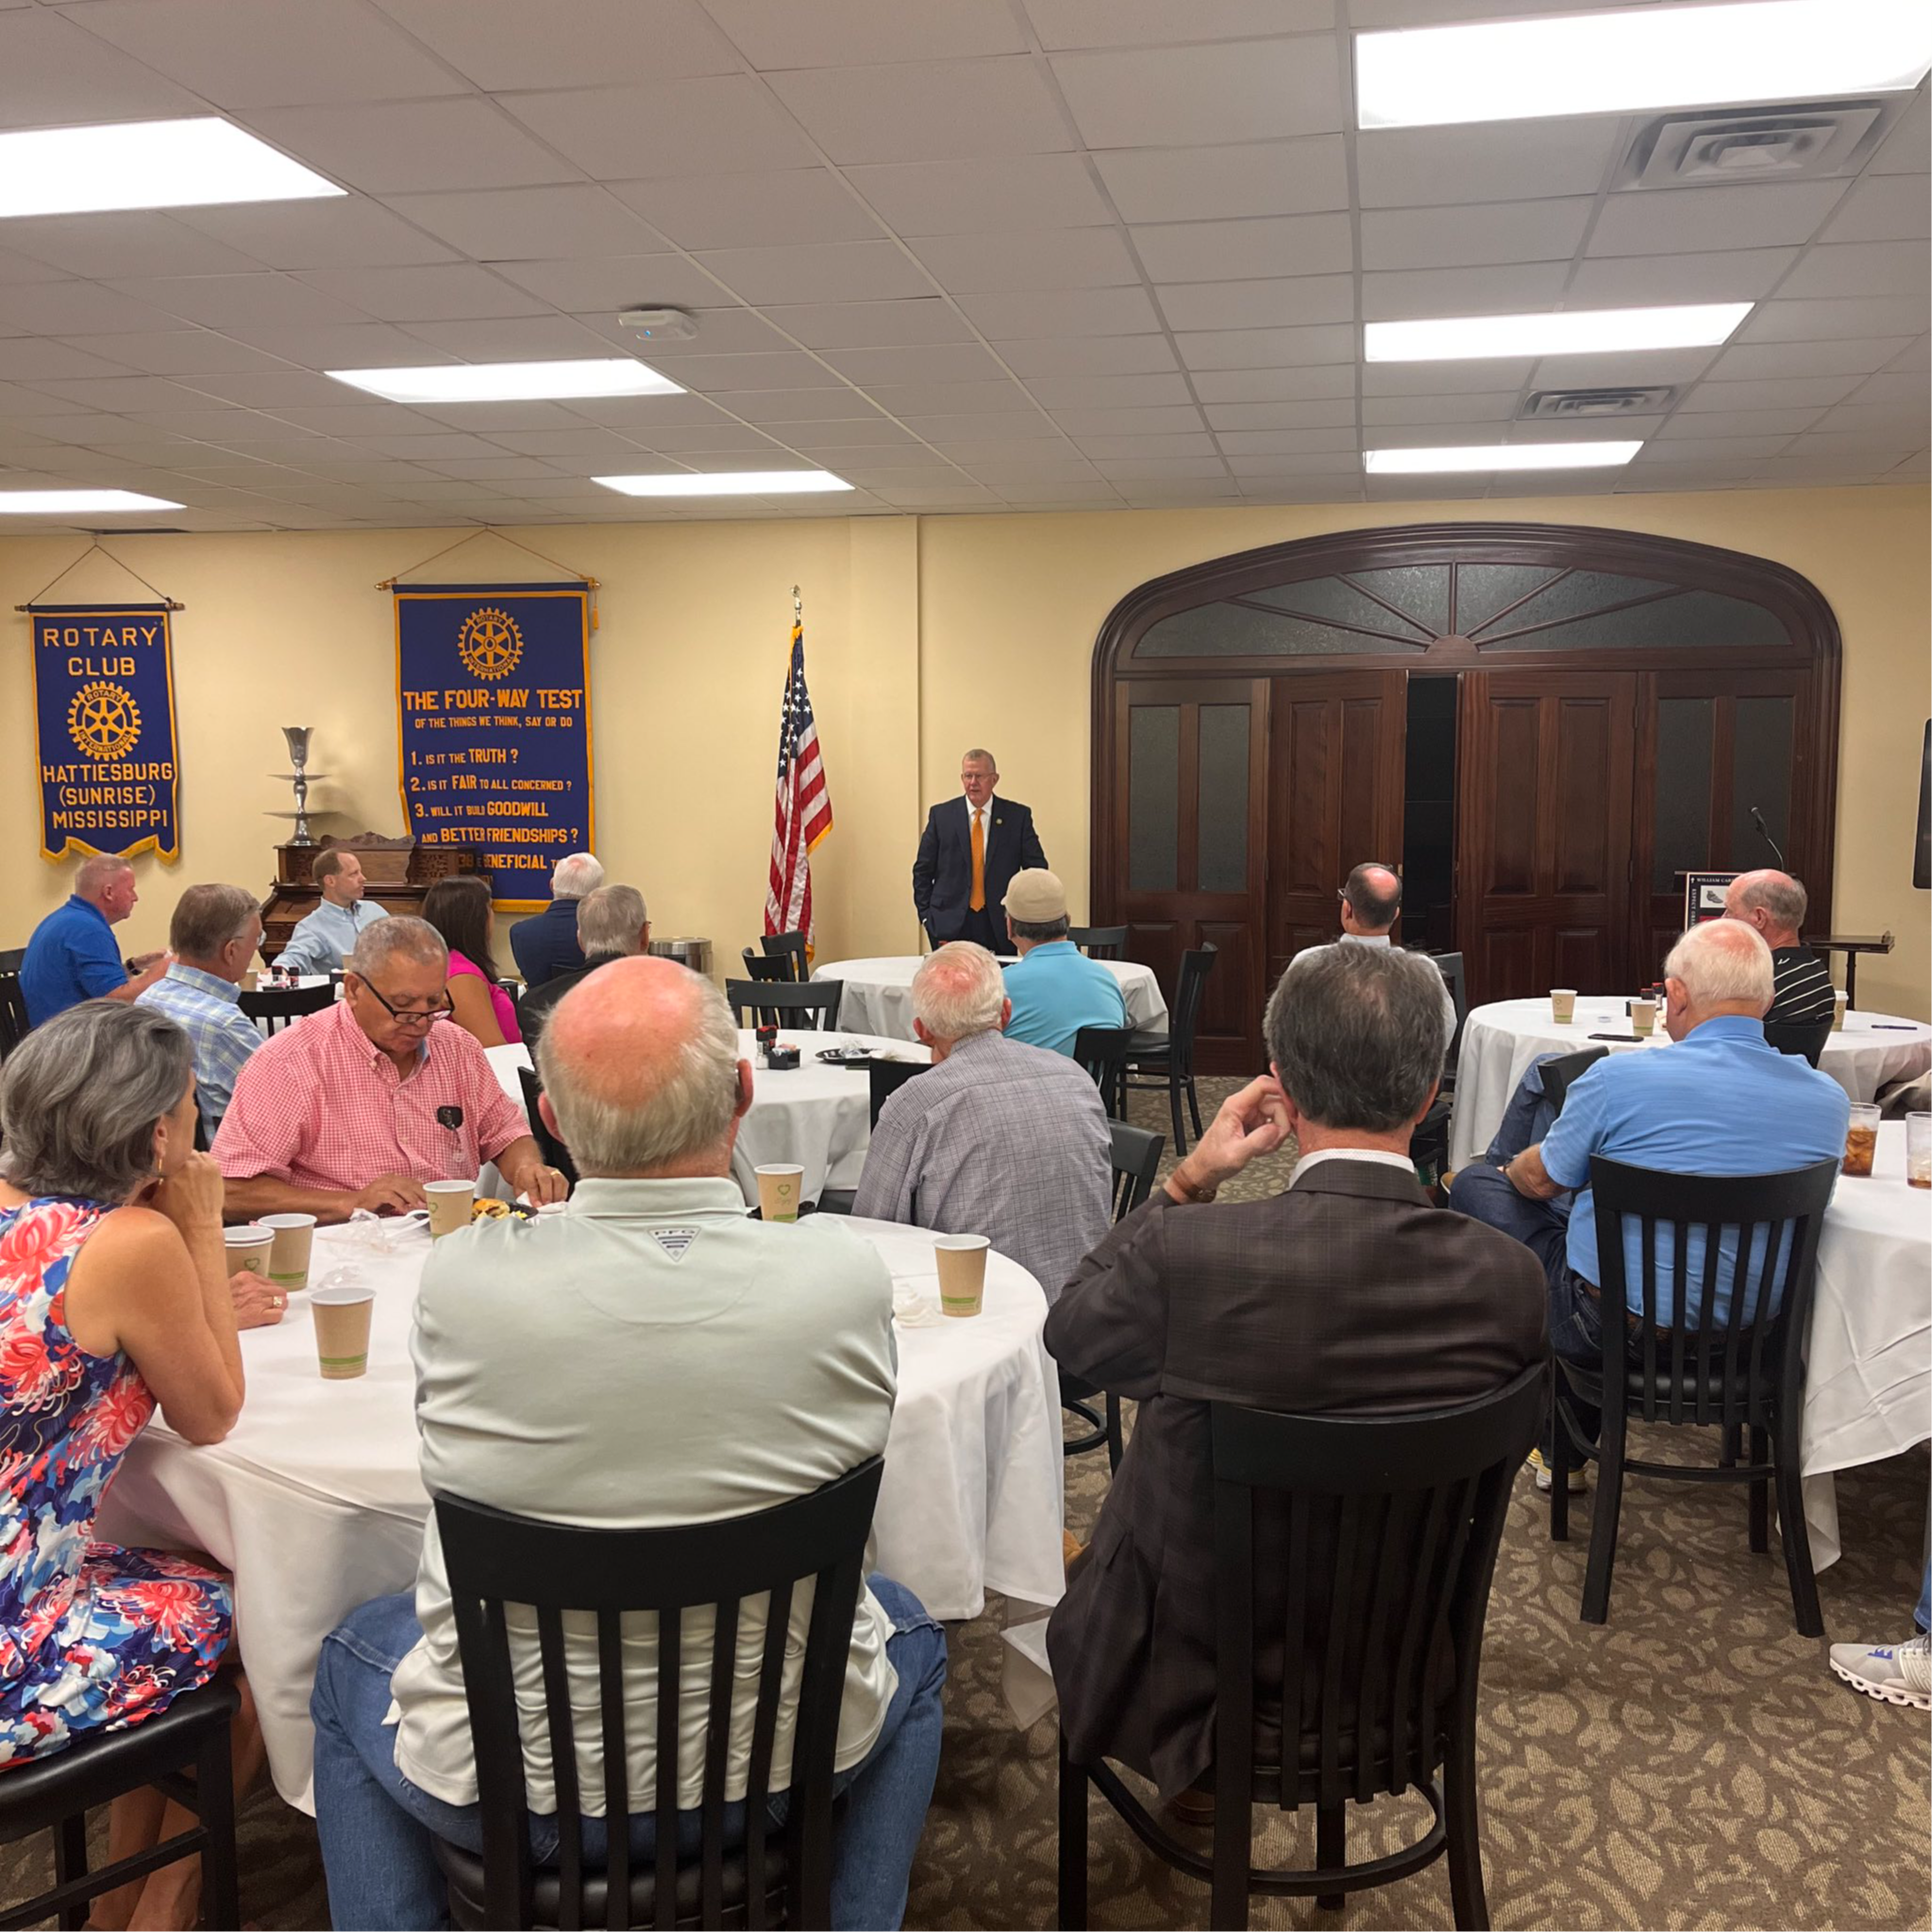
(1653, 57)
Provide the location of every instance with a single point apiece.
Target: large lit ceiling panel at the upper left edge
(146, 165)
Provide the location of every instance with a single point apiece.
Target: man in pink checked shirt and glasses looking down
(362, 1104)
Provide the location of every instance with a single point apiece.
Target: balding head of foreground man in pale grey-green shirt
(642, 1073)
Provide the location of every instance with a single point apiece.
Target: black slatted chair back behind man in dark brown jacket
(1388, 1527)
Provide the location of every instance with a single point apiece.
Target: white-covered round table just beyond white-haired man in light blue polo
(1502, 1040)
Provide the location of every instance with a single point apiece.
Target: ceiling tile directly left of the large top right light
(1185, 96)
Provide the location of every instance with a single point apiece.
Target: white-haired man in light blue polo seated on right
(1719, 1102)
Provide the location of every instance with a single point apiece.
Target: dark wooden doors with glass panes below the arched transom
(1579, 795)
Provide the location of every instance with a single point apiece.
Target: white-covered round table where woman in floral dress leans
(316, 1504)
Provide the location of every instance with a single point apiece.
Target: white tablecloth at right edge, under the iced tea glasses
(1869, 1373)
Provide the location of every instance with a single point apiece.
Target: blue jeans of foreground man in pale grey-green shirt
(378, 1829)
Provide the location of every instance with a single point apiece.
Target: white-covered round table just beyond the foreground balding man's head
(814, 1116)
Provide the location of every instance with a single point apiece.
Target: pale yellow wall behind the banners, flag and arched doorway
(923, 637)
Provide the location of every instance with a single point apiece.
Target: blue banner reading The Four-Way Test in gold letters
(494, 696)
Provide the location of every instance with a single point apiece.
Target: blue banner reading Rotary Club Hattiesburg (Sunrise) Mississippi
(103, 720)
